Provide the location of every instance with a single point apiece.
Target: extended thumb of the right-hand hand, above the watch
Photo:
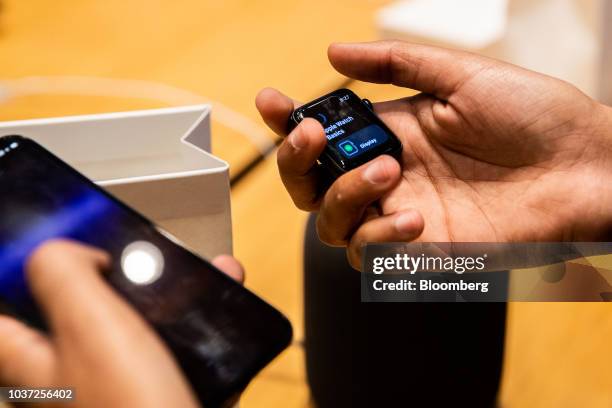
(432, 70)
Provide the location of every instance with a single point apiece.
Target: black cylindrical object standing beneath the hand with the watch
(394, 354)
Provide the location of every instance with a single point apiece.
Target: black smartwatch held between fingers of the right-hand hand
(355, 135)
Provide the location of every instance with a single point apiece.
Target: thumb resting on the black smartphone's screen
(81, 309)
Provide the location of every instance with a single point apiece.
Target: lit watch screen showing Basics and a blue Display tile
(348, 124)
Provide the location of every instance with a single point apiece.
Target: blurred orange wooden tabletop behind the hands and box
(557, 354)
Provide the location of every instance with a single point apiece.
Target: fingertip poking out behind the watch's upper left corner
(275, 109)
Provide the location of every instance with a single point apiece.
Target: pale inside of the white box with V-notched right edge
(123, 147)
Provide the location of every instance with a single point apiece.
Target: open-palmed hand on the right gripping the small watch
(492, 152)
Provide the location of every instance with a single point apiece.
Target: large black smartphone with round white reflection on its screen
(220, 333)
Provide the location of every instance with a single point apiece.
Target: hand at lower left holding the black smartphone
(98, 344)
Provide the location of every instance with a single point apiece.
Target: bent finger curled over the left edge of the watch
(297, 163)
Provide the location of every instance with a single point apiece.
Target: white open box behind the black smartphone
(157, 161)
